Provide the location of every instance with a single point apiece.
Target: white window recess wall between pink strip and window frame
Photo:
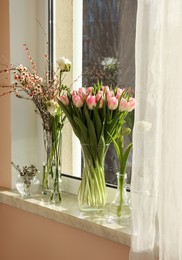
(26, 130)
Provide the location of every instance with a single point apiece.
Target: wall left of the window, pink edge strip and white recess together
(21, 139)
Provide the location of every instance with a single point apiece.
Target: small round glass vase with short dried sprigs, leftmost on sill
(27, 185)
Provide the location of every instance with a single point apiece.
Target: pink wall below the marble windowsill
(30, 237)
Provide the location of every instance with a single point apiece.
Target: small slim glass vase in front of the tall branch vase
(56, 185)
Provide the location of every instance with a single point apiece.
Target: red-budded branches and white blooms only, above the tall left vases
(42, 91)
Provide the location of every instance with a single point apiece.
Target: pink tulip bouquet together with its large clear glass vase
(95, 114)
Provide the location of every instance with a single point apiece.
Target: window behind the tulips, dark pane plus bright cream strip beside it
(94, 34)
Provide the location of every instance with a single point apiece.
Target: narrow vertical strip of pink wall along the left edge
(5, 136)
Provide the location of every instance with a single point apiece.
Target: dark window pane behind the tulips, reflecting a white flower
(109, 54)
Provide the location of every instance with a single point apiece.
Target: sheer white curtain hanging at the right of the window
(157, 168)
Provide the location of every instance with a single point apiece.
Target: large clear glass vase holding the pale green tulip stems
(92, 190)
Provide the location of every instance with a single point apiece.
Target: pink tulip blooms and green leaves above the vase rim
(97, 108)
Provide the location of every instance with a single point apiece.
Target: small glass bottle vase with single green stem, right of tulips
(120, 207)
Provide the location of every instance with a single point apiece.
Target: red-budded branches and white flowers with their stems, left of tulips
(43, 92)
